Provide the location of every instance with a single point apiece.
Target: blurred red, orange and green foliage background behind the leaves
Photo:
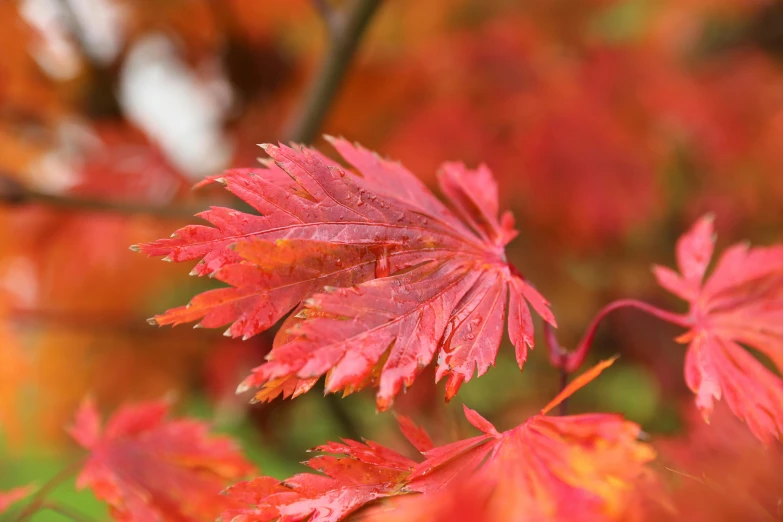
(610, 124)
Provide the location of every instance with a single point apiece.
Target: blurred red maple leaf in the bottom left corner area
(149, 469)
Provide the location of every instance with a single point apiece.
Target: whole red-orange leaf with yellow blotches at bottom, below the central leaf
(582, 467)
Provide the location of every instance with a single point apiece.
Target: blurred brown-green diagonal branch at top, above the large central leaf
(343, 42)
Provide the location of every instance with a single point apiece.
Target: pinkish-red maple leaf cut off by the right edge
(740, 303)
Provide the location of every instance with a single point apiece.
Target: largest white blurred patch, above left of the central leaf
(161, 95)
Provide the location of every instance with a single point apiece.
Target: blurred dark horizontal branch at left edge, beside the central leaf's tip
(14, 193)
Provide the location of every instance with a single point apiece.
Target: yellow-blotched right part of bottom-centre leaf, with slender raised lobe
(580, 467)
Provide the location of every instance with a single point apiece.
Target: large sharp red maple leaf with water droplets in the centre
(384, 274)
